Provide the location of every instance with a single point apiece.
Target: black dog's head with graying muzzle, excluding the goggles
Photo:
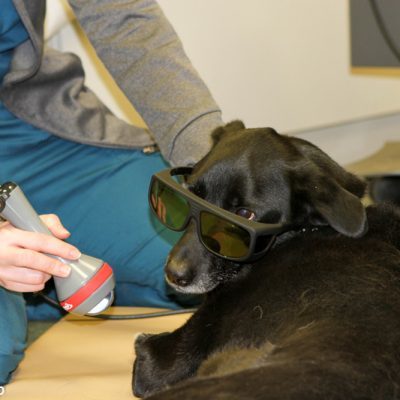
(272, 178)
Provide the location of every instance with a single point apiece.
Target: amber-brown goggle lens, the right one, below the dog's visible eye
(223, 237)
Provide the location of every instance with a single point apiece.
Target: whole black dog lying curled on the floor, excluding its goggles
(318, 317)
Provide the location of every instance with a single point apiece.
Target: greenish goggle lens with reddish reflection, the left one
(170, 207)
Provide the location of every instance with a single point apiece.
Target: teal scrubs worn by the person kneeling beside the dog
(100, 195)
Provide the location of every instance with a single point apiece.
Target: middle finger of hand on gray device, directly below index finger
(22, 257)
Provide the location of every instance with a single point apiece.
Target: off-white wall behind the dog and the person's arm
(280, 63)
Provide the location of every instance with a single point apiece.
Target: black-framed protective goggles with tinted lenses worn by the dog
(223, 233)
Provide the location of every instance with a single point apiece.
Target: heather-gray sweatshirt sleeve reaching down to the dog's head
(144, 55)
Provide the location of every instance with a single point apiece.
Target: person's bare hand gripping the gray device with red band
(23, 265)
